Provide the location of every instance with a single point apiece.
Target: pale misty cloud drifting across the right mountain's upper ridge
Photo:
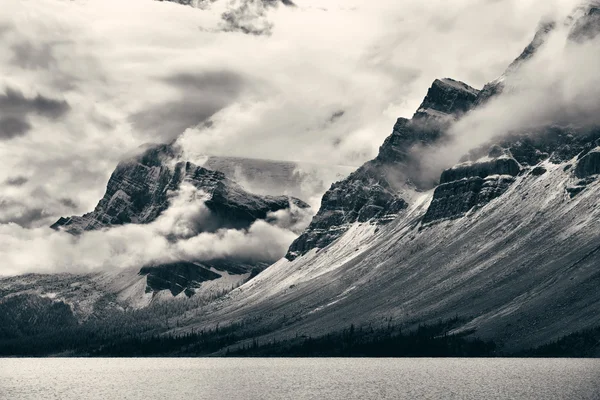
(558, 85)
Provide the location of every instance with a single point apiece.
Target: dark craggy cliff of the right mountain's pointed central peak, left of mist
(376, 191)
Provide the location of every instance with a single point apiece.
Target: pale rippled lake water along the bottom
(259, 378)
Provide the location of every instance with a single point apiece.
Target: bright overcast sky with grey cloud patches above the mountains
(86, 82)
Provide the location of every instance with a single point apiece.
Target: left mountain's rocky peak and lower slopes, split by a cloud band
(139, 191)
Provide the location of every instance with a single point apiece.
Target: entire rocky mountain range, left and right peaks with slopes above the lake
(501, 247)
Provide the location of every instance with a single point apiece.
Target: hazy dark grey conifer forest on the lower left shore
(34, 326)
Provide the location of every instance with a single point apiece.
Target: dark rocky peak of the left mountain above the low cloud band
(139, 190)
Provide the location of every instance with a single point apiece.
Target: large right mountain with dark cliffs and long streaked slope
(505, 242)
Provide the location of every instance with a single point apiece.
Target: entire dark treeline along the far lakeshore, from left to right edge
(35, 326)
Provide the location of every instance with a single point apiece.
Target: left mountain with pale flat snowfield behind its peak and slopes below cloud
(139, 191)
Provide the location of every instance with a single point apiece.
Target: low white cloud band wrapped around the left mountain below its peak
(173, 236)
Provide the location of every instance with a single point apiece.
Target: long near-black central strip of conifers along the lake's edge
(240, 340)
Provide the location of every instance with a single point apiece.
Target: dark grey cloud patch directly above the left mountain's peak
(201, 96)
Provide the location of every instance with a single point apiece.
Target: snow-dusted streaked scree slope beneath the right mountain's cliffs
(522, 270)
